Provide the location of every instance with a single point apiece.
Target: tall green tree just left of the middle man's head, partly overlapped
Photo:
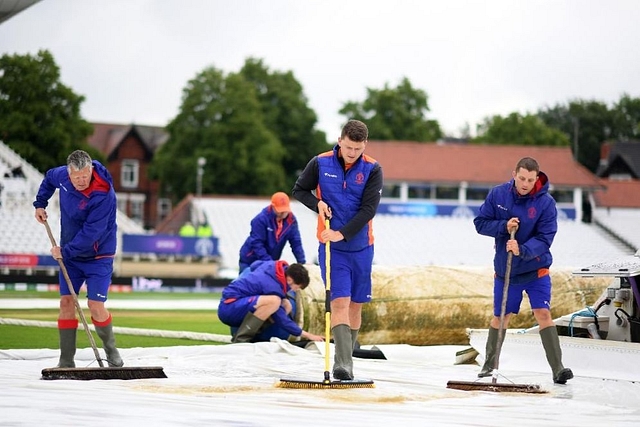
(287, 115)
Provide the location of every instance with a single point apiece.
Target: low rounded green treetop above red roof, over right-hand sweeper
(517, 129)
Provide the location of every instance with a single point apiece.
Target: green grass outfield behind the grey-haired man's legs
(33, 337)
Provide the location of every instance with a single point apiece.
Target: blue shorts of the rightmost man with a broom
(538, 290)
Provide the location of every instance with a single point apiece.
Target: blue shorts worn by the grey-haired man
(96, 273)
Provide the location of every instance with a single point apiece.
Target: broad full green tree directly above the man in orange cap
(221, 120)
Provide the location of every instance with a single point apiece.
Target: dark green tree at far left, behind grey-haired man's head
(39, 116)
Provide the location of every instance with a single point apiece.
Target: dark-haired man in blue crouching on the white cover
(260, 296)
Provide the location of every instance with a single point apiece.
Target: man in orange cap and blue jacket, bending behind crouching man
(271, 229)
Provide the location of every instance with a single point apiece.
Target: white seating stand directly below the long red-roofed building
(410, 240)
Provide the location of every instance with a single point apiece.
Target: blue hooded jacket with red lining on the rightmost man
(538, 226)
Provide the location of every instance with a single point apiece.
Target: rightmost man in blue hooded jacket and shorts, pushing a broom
(524, 204)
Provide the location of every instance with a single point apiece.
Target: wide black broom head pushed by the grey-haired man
(103, 373)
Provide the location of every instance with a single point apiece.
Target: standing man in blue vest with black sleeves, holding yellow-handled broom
(345, 186)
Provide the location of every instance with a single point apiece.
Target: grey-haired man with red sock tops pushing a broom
(87, 246)
